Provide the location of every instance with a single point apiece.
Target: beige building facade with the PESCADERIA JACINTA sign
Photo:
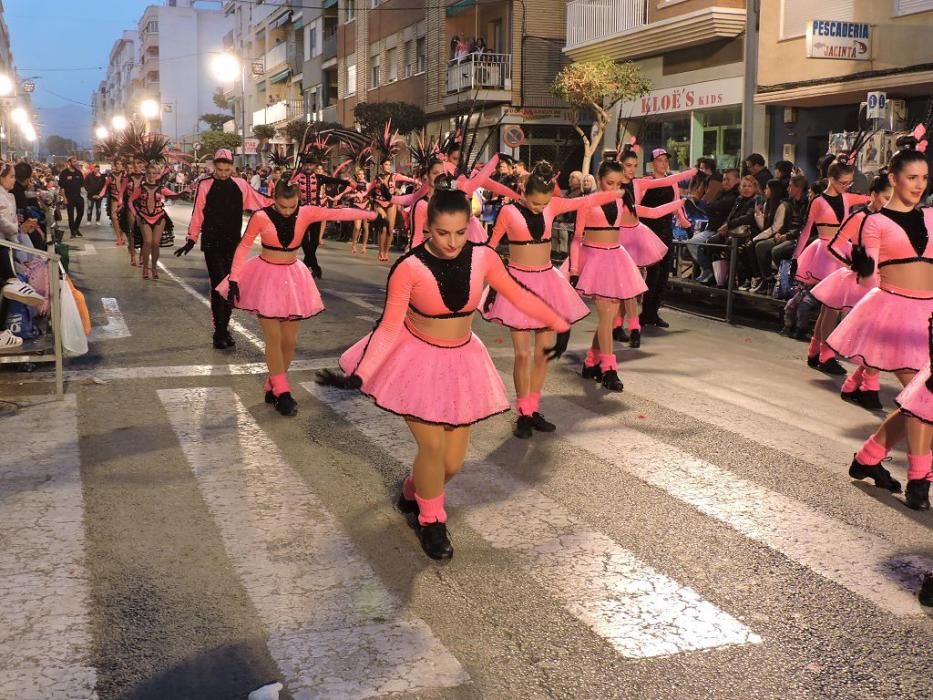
(818, 62)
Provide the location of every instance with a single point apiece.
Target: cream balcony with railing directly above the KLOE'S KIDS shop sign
(624, 29)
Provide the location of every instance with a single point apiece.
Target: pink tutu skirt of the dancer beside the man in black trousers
(285, 292)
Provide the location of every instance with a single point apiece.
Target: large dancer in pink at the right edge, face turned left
(887, 330)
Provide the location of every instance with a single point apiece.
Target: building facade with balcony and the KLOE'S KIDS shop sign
(693, 51)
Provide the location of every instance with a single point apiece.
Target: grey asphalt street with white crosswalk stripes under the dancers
(165, 534)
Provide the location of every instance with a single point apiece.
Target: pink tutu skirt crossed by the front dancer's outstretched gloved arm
(548, 284)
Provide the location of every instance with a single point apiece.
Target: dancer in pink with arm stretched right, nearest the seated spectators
(600, 267)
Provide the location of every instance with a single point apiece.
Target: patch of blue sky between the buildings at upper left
(51, 35)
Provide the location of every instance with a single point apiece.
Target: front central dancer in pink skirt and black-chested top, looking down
(423, 363)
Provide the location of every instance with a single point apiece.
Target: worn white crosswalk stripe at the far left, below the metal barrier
(45, 637)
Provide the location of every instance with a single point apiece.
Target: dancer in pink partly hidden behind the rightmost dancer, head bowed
(841, 290)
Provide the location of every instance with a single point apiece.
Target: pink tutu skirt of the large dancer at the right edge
(885, 331)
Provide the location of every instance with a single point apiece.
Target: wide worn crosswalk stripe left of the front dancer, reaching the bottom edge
(333, 629)
